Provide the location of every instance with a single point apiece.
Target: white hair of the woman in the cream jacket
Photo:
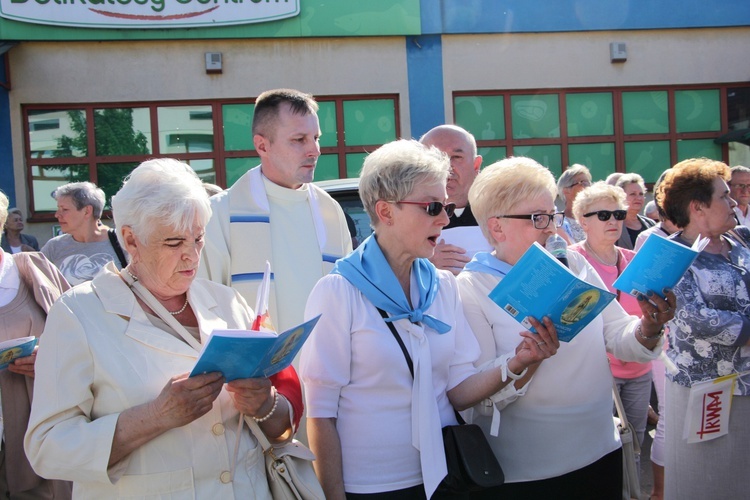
(163, 191)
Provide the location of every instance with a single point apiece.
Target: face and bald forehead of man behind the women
(464, 164)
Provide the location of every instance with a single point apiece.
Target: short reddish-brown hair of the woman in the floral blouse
(688, 181)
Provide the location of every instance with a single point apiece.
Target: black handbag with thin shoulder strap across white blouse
(472, 465)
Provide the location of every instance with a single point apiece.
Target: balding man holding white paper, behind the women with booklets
(461, 148)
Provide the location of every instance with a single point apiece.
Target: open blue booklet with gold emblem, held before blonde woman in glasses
(538, 285)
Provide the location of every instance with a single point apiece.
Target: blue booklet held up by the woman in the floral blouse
(659, 264)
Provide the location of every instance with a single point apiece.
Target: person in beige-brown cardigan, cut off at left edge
(29, 285)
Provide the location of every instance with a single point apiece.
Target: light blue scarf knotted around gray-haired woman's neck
(367, 269)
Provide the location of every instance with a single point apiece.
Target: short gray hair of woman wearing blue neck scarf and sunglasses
(393, 170)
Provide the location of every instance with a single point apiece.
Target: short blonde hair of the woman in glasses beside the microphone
(503, 185)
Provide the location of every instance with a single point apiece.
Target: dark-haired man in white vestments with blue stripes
(273, 213)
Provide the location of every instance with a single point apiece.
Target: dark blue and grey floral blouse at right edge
(711, 326)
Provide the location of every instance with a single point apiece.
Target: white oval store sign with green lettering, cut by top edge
(140, 14)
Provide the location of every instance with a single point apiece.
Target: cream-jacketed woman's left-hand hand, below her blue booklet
(186, 399)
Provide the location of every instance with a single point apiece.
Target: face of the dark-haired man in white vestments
(290, 153)
